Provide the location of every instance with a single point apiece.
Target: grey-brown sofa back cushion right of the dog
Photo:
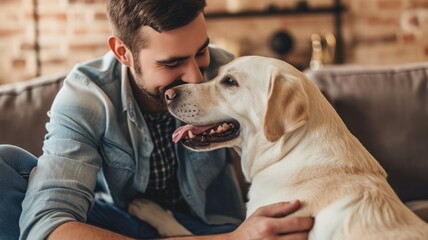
(386, 108)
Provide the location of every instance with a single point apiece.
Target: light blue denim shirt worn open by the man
(96, 126)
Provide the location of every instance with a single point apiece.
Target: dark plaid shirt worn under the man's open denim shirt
(163, 184)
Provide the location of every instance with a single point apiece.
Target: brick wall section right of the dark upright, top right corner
(378, 35)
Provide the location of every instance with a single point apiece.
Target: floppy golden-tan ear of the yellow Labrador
(287, 106)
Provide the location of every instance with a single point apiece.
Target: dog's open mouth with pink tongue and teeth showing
(203, 137)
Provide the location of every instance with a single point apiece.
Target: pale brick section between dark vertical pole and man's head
(71, 31)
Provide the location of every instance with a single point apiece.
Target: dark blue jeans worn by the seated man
(15, 167)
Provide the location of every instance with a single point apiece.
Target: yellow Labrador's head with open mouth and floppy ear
(251, 98)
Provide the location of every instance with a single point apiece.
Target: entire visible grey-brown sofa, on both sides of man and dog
(386, 108)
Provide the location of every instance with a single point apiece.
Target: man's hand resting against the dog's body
(269, 222)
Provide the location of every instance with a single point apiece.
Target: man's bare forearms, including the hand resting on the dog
(268, 222)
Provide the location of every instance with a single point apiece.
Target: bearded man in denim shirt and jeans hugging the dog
(110, 118)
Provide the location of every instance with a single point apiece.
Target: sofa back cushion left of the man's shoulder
(23, 111)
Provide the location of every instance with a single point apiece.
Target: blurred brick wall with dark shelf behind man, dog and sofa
(43, 37)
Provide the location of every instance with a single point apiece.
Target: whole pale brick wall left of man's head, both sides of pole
(70, 31)
